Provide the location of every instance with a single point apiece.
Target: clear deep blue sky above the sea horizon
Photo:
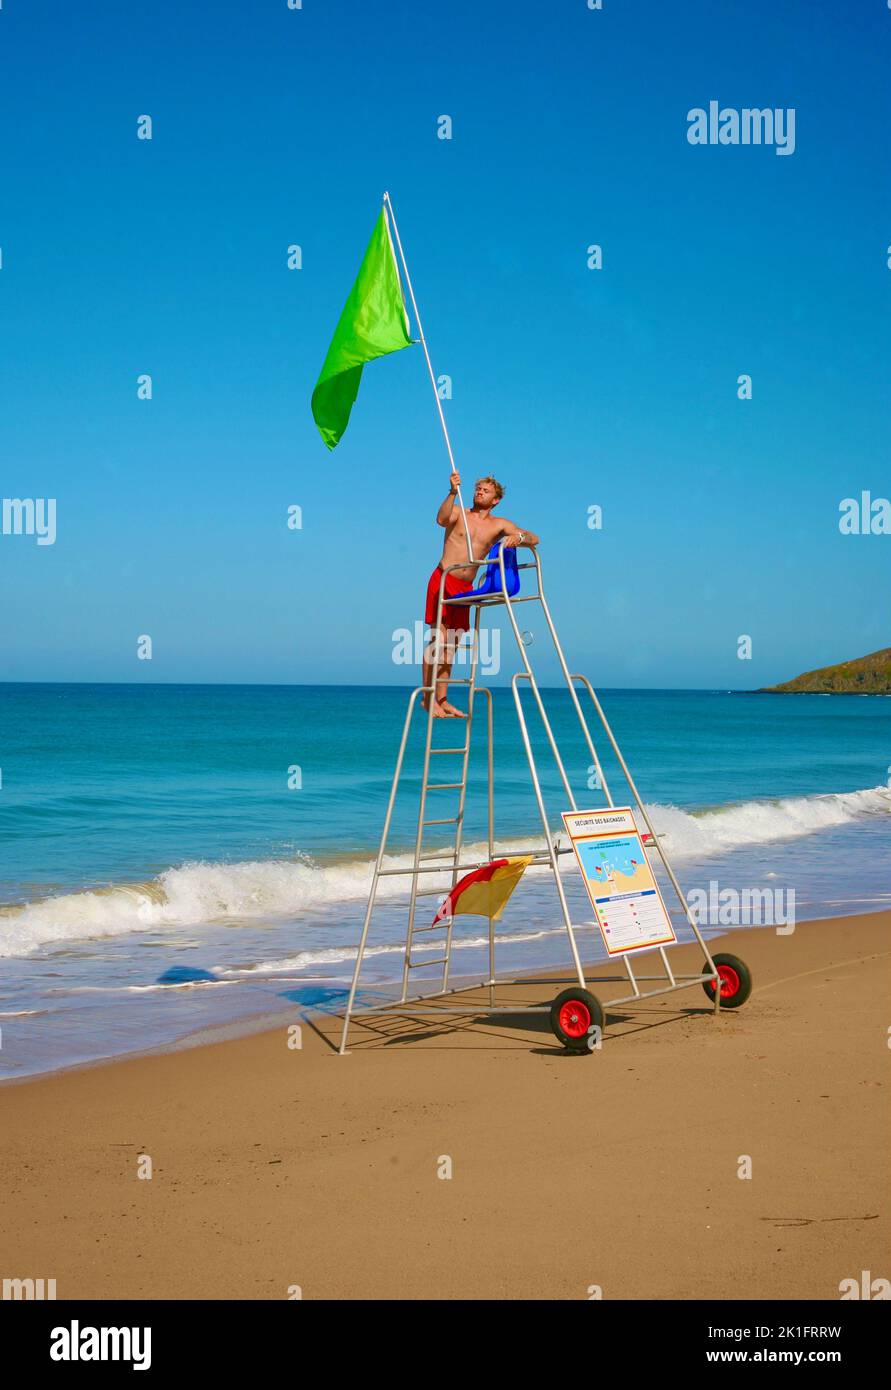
(576, 387)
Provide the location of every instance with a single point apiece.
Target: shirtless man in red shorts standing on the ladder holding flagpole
(484, 532)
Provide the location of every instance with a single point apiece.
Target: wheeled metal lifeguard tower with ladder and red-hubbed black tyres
(576, 1014)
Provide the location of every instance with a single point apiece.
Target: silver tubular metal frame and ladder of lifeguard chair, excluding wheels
(450, 862)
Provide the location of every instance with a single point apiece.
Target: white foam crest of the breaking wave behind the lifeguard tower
(204, 893)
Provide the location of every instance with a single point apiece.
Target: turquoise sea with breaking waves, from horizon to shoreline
(176, 860)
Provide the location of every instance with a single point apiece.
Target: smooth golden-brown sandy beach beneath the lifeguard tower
(276, 1168)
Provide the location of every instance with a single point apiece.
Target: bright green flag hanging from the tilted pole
(373, 323)
